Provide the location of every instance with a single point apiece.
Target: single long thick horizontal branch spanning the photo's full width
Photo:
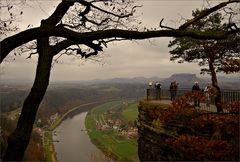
(8, 44)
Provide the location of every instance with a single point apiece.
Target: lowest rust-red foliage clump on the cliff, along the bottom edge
(201, 148)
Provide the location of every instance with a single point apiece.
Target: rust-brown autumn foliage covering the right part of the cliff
(203, 135)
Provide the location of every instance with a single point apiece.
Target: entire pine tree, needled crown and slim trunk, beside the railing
(213, 53)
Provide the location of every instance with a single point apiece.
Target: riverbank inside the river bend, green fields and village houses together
(111, 128)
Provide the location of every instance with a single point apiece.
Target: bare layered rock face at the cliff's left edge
(152, 135)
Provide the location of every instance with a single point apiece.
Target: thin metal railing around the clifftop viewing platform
(228, 96)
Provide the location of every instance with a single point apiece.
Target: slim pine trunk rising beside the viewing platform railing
(217, 90)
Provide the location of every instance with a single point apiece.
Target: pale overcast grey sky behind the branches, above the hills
(123, 59)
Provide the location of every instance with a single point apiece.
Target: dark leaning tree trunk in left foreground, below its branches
(19, 139)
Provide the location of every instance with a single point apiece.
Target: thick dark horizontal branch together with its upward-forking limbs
(51, 29)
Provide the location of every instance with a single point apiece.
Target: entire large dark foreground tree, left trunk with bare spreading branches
(77, 23)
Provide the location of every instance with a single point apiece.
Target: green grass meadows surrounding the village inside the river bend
(122, 149)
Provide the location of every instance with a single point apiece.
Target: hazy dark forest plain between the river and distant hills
(63, 95)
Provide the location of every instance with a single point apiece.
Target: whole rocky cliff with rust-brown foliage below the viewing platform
(168, 133)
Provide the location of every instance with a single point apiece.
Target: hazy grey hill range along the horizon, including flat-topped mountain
(185, 80)
